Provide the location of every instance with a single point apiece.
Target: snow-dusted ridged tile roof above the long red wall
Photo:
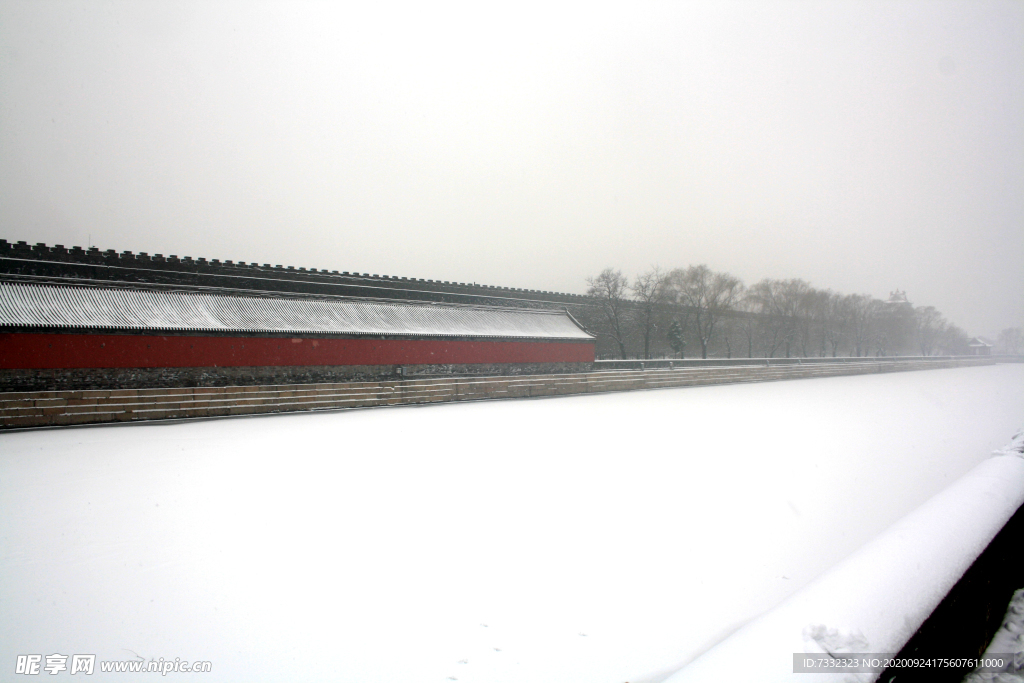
(49, 307)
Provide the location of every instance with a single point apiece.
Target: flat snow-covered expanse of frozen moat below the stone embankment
(601, 538)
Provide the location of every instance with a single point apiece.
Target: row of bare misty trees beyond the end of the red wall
(701, 313)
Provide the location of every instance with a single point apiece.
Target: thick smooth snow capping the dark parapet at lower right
(875, 601)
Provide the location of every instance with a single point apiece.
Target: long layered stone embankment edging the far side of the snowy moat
(44, 409)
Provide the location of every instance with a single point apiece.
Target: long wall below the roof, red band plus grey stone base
(98, 362)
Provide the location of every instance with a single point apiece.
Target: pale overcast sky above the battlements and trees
(861, 146)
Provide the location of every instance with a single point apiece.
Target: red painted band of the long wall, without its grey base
(20, 351)
